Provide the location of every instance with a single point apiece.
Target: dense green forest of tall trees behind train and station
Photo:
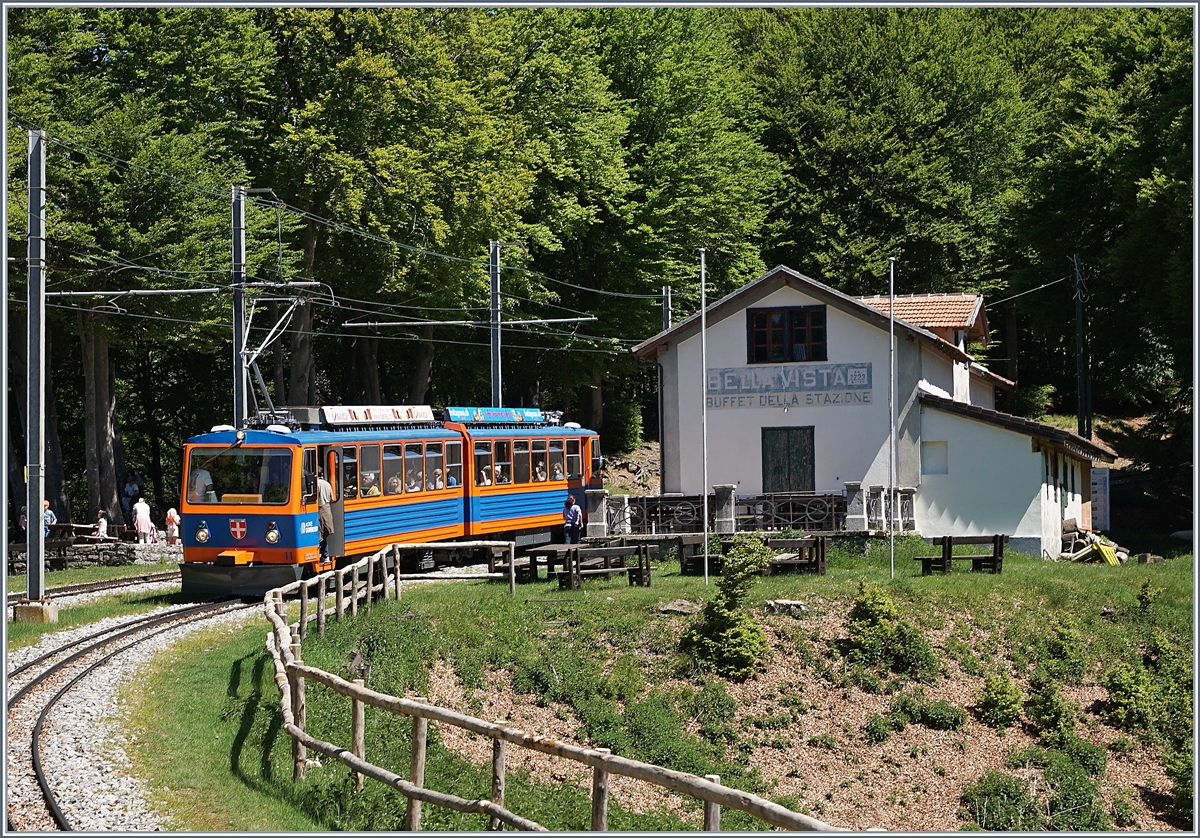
(983, 148)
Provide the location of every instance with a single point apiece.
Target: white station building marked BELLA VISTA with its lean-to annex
(797, 396)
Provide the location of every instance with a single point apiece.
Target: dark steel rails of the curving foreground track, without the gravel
(163, 622)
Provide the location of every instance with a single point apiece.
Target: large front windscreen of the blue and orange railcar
(239, 476)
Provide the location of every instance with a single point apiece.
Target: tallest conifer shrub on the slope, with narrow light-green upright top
(725, 637)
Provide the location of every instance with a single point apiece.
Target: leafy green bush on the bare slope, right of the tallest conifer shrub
(879, 637)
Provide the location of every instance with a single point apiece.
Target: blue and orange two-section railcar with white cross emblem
(398, 474)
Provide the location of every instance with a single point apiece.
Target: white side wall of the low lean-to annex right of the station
(994, 482)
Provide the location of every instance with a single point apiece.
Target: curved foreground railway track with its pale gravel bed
(37, 689)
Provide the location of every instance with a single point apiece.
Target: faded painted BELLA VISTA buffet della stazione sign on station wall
(789, 386)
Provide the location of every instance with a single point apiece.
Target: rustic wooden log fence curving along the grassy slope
(285, 644)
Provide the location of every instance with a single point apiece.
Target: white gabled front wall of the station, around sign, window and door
(850, 440)
